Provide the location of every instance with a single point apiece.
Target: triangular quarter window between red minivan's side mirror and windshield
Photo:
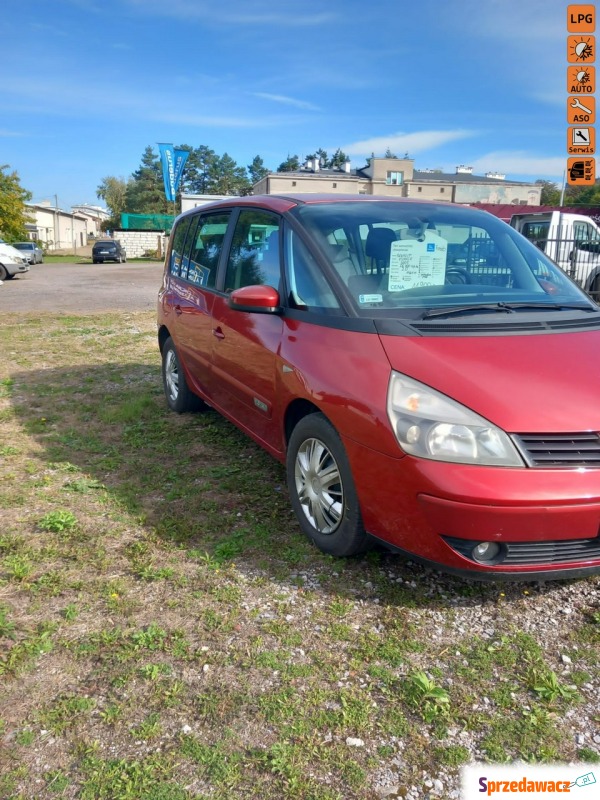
(308, 288)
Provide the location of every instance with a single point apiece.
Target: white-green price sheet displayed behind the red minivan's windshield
(418, 262)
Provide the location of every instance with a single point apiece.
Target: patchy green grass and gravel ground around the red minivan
(163, 619)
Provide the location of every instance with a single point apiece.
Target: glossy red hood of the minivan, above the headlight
(546, 383)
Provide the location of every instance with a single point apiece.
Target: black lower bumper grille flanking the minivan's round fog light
(523, 554)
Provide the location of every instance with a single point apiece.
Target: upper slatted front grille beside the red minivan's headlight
(559, 449)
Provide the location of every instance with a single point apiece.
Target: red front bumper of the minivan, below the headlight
(433, 510)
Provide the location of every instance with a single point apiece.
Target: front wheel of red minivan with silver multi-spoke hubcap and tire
(322, 489)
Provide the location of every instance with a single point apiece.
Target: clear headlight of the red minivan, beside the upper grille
(430, 425)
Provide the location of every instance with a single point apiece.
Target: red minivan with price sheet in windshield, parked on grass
(426, 374)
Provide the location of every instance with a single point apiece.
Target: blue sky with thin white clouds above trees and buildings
(88, 84)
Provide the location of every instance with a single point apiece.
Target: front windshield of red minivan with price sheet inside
(422, 259)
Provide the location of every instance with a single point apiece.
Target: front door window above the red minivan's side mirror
(254, 255)
